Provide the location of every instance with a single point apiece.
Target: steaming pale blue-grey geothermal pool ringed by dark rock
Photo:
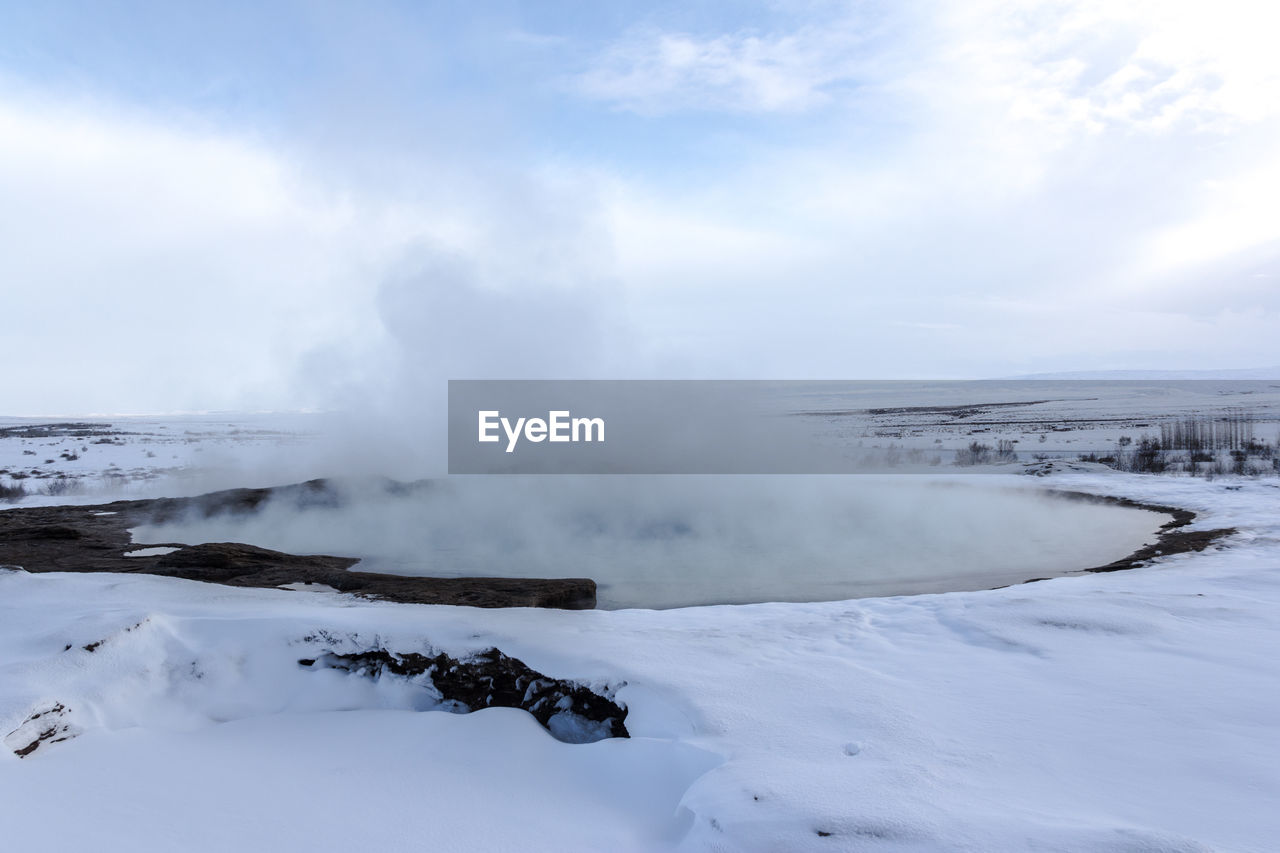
(673, 542)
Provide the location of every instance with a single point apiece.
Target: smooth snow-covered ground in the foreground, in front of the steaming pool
(1132, 711)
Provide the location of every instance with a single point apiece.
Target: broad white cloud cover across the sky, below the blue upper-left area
(980, 180)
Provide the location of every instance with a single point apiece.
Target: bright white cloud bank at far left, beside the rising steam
(150, 267)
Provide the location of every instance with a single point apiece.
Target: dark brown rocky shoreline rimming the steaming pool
(97, 539)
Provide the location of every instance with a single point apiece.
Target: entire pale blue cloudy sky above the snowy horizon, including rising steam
(333, 206)
